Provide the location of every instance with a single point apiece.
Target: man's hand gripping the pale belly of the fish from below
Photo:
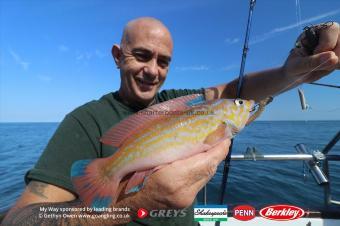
(176, 185)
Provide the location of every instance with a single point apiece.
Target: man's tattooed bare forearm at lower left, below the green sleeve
(39, 195)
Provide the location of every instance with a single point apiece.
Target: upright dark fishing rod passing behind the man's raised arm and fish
(239, 90)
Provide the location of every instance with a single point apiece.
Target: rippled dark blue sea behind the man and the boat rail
(257, 183)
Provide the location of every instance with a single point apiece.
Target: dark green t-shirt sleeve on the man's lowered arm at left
(71, 142)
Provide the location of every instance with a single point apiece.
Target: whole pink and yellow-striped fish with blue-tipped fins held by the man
(153, 137)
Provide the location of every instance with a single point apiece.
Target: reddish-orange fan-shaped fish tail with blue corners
(94, 187)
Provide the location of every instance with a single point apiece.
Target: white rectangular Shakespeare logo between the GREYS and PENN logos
(211, 213)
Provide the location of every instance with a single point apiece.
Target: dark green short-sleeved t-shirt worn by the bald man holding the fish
(77, 137)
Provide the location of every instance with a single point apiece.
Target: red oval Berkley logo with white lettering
(282, 212)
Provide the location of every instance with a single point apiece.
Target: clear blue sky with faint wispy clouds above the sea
(56, 55)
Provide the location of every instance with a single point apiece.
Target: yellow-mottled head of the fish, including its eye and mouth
(236, 113)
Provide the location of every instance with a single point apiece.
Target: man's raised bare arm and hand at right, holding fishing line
(300, 67)
